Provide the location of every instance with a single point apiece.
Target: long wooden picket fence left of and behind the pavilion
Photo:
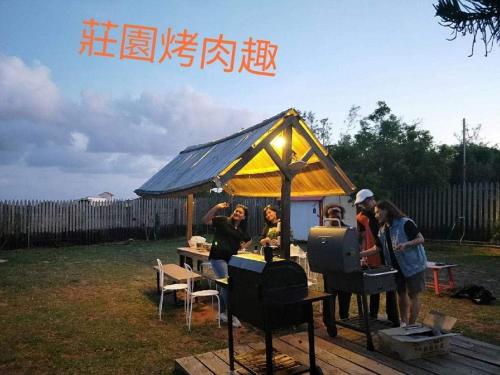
(56, 223)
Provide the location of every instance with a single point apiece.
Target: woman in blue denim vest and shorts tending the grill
(402, 246)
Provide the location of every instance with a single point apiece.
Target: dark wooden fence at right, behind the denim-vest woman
(438, 211)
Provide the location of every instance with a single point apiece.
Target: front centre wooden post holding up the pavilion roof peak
(286, 189)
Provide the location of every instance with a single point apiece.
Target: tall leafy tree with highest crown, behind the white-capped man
(387, 154)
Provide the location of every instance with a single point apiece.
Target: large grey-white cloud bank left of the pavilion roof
(99, 134)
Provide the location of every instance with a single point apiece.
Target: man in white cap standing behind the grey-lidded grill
(368, 228)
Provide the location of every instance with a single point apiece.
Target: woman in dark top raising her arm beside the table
(230, 235)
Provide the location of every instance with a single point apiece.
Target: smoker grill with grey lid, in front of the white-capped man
(334, 252)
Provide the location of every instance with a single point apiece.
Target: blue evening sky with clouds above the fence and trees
(76, 124)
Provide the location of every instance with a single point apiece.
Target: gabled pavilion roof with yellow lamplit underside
(243, 164)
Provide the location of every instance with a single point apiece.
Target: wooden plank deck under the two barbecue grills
(347, 354)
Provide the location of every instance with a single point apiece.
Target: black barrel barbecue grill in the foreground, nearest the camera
(270, 295)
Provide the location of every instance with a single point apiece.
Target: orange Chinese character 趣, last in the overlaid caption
(259, 57)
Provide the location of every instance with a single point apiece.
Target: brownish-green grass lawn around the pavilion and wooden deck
(93, 309)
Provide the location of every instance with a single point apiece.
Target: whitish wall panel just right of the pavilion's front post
(304, 215)
